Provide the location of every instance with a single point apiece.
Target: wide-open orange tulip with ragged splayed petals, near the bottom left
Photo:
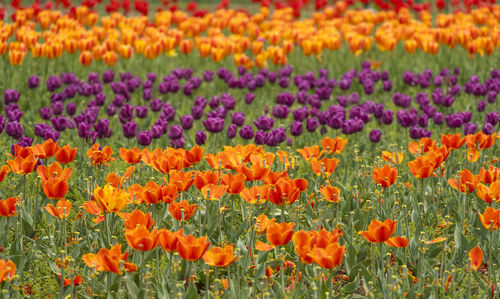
(109, 260)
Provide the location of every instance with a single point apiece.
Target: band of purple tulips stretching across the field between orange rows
(312, 105)
